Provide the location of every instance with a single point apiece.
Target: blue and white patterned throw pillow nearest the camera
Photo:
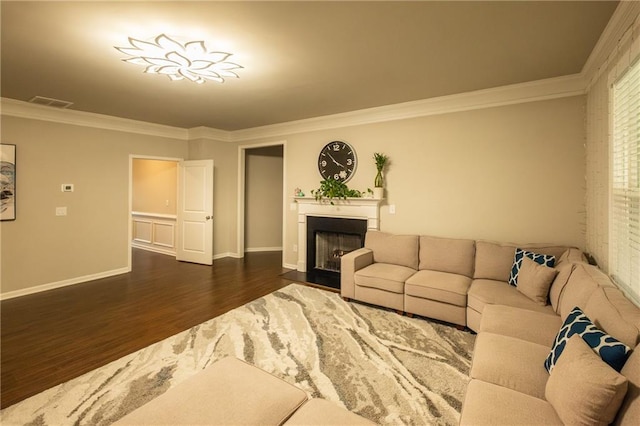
(612, 351)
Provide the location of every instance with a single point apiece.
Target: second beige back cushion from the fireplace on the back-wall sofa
(447, 255)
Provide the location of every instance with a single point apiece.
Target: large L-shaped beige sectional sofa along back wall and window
(465, 282)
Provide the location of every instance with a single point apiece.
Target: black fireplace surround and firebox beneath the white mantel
(328, 239)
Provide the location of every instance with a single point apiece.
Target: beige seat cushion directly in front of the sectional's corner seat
(524, 324)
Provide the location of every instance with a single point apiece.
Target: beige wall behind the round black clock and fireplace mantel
(512, 173)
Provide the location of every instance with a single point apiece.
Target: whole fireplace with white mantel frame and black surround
(341, 227)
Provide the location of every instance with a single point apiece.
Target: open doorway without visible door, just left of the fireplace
(261, 198)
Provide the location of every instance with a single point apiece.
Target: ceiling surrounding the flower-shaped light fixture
(301, 59)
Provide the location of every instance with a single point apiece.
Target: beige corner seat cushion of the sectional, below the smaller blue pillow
(490, 292)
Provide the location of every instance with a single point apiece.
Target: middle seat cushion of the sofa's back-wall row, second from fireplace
(440, 286)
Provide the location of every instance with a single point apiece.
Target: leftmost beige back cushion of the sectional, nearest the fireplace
(395, 249)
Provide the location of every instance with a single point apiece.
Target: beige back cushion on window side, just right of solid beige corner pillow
(584, 280)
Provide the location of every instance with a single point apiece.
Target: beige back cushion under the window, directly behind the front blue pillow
(612, 312)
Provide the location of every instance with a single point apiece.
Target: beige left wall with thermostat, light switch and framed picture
(40, 248)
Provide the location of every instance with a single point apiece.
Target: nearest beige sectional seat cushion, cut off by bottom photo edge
(490, 404)
